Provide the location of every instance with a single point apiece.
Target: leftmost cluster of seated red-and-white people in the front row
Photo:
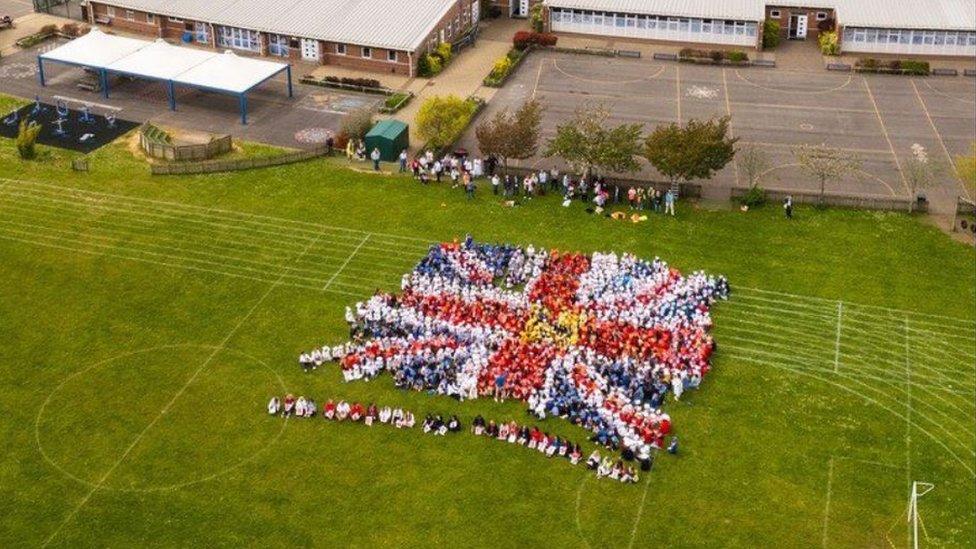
(341, 411)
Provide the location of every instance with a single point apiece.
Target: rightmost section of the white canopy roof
(229, 72)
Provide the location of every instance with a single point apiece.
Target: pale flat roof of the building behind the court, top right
(894, 14)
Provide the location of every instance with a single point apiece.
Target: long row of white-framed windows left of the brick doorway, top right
(653, 22)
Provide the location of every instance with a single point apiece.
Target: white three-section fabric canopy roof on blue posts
(159, 60)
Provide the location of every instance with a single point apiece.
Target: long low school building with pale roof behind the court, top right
(901, 27)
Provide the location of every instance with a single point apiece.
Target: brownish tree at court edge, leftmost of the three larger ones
(509, 135)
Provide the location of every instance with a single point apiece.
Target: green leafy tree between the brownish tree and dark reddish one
(586, 143)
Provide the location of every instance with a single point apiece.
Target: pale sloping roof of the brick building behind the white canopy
(391, 24)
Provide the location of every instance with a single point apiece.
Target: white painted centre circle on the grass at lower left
(169, 487)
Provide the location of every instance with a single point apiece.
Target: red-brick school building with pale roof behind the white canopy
(375, 35)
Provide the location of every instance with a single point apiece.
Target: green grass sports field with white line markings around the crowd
(146, 321)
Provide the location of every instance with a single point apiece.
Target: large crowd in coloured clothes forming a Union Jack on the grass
(600, 340)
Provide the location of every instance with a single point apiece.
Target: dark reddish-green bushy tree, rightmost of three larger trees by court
(695, 151)
